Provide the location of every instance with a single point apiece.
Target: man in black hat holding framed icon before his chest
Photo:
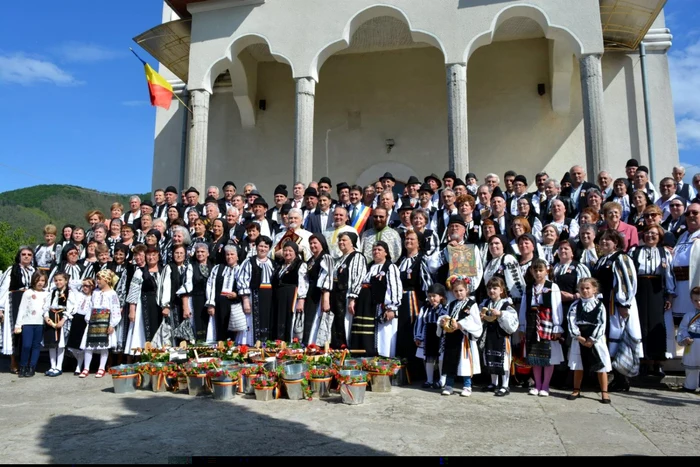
(457, 257)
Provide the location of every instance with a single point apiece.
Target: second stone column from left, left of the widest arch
(304, 136)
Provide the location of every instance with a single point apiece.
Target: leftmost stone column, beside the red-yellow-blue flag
(196, 172)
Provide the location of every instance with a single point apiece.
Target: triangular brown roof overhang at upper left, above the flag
(169, 43)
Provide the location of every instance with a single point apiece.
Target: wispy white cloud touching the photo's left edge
(21, 69)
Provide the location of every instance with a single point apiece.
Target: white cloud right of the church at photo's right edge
(685, 82)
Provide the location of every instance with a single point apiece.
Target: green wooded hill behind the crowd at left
(28, 210)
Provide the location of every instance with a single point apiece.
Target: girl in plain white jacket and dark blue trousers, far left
(30, 323)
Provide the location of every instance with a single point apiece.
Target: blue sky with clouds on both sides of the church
(76, 106)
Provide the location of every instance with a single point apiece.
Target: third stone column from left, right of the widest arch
(457, 132)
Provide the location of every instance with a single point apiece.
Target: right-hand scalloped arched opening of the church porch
(524, 97)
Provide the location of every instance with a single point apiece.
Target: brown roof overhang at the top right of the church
(626, 22)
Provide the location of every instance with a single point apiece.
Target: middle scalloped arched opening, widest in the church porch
(380, 99)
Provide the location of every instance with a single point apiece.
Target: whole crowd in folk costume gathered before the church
(455, 277)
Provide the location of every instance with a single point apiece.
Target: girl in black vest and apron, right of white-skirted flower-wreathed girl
(500, 322)
